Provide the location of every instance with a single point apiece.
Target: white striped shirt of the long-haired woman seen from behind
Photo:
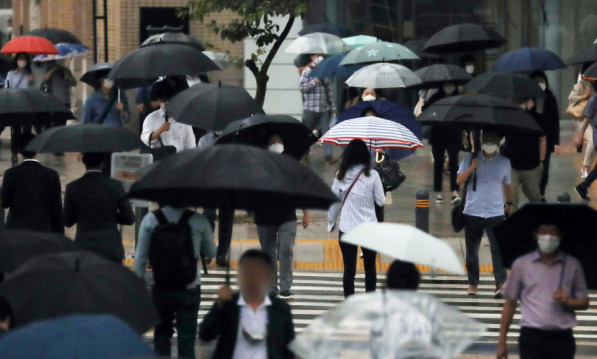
(360, 203)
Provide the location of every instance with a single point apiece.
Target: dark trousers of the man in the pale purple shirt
(546, 344)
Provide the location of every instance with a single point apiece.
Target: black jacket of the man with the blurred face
(224, 322)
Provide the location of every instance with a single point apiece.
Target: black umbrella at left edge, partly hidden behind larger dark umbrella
(18, 246)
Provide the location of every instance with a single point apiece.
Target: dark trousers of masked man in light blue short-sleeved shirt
(473, 233)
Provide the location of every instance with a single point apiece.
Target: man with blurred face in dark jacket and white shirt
(251, 323)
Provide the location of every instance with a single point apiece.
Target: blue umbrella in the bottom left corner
(75, 336)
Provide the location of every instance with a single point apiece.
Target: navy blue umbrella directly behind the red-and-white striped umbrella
(390, 111)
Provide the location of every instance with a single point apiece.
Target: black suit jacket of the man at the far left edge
(32, 192)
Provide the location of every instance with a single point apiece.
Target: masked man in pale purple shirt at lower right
(550, 286)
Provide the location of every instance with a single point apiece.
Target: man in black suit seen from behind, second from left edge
(97, 204)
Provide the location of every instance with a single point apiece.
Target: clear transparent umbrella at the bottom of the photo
(389, 324)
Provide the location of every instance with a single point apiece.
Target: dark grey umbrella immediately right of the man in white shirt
(212, 106)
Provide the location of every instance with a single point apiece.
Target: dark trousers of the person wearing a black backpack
(182, 305)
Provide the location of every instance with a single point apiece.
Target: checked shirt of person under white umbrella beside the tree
(317, 97)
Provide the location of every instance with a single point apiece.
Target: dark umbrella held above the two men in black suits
(85, 138)
